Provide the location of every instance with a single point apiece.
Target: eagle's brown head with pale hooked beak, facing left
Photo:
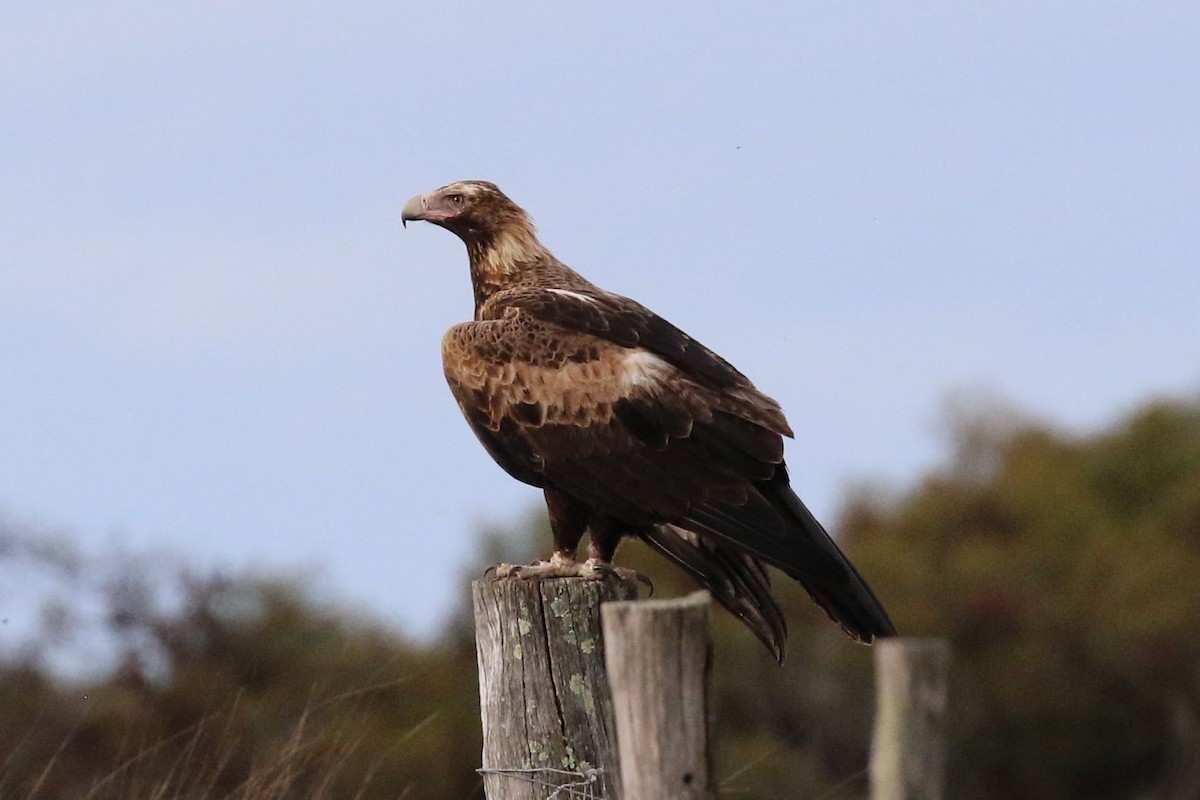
(475, 210)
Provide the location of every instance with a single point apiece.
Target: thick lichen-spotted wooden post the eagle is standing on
(544, 690)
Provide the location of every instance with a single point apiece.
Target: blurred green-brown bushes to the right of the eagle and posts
(1065, 576)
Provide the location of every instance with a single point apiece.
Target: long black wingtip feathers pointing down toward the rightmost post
(825, 572)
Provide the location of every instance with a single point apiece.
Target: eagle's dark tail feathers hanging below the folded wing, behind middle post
(737, 581)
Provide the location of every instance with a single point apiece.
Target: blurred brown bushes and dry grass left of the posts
(245, 690)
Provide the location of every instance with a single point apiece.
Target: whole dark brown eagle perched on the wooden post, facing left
(629, 428)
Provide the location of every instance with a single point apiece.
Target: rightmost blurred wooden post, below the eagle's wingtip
(909, 751)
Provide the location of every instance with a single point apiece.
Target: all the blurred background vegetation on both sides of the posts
(1065, 569)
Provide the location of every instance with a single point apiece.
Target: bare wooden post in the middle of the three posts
(659, 657)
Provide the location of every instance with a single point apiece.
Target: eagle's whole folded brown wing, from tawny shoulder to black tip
(609, 402)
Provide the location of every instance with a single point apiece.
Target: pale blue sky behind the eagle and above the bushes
(215, 338)
